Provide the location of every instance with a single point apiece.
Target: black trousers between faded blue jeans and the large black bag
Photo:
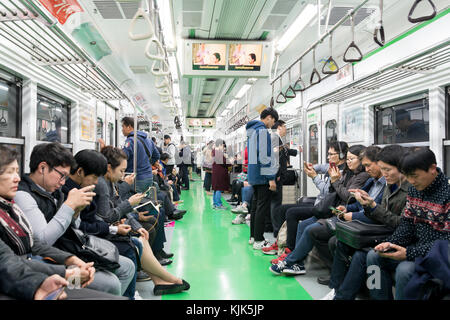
(325, 242)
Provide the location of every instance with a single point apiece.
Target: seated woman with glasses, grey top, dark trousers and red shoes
(293, 213)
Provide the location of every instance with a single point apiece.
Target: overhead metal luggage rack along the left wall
(25, 25)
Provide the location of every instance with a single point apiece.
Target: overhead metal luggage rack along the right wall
(425, 62)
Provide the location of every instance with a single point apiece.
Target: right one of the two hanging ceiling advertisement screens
(245, 57)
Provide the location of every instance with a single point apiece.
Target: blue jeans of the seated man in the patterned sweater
(403, 272)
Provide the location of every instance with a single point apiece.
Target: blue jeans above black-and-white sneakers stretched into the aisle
(303, 242)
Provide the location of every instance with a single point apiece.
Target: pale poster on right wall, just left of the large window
(352, 124)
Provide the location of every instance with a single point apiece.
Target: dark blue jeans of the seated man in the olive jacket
(347, 280)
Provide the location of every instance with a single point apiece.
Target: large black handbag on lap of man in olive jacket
(359, 235)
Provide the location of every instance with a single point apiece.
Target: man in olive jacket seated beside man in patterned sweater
(346, 280)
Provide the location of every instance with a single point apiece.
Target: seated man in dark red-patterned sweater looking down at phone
(424, 220)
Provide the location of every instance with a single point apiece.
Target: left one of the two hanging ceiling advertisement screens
(208, 56)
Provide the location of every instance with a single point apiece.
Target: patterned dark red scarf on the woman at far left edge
(18, 229)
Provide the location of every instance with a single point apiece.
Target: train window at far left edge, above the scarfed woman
(9, 109)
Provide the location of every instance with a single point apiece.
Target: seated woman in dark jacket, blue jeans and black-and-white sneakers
(353, 177)
